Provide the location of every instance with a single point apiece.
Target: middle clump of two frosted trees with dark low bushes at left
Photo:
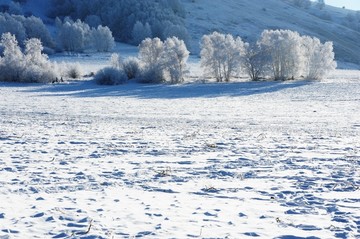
(158, 61)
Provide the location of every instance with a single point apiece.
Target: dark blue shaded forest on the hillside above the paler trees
(162, 18)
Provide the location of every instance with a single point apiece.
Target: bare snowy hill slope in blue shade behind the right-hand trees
(249, 18)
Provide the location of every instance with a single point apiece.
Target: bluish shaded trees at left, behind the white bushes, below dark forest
(72, 36)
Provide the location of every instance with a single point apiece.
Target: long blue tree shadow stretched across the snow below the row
(85, 89)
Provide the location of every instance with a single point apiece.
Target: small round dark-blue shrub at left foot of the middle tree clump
(110, 76)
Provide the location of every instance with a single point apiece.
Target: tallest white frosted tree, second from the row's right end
(285, 50)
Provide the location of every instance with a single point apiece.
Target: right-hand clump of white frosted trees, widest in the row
(278, 54)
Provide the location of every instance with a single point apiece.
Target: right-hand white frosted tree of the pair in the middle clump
(174, 58)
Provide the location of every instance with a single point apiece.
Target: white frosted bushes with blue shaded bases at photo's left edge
(30, 66)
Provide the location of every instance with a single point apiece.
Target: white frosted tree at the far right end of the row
(319, 58)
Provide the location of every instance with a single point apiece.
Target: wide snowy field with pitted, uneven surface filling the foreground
(238, 160)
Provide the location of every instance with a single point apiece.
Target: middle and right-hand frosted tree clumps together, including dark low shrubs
(277, 55)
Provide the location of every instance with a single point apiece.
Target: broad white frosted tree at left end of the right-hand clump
(221, 55)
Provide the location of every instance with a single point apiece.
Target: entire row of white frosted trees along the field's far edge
(278, 55)
